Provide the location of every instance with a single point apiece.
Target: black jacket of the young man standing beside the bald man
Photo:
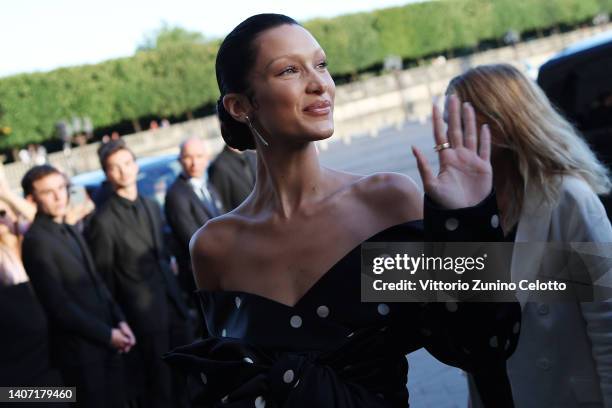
(135, 268)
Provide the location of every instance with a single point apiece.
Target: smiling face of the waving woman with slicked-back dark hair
(292, 90)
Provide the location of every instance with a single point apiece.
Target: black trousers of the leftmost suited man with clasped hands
(99, 384)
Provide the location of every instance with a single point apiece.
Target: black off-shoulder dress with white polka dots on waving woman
(332, 350)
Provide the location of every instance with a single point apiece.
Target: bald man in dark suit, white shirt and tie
(190, 201)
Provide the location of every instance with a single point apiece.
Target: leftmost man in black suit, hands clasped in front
(87, 328)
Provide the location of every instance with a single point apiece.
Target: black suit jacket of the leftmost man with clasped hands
(80, 308)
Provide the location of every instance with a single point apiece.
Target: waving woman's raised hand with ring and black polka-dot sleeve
(459, 206)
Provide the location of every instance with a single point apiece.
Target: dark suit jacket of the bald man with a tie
(185, 214)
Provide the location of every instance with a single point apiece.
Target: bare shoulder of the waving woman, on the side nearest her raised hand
(392, 194)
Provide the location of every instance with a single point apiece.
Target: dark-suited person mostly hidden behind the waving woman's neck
(233, 175)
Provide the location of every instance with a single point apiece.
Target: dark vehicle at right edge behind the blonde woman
(578, 81)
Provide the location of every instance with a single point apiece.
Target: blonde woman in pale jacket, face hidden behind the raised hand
(547, 180)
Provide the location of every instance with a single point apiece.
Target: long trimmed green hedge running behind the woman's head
(173, 80)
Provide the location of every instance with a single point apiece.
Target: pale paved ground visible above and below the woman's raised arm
(431, 384)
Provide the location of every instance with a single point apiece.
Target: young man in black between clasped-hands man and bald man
(125, 236)
